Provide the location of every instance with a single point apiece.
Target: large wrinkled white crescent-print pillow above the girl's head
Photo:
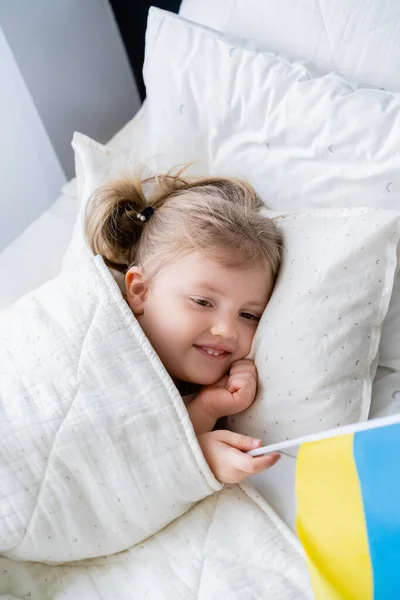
(302, 141)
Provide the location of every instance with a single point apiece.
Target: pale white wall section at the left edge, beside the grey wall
(30, 172)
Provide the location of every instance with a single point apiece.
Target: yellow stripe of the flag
(330, 520)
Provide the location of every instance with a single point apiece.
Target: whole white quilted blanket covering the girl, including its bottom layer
(104, 490)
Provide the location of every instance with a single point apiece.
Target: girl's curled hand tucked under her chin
(233, 393)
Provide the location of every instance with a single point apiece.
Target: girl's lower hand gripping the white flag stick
(225, 453)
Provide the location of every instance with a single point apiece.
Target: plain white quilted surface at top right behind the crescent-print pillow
(356, 38)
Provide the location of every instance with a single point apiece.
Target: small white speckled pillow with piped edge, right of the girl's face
(318, 338)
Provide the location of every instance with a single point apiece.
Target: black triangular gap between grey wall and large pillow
(131, 17)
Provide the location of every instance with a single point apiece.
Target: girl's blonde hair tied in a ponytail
(218, 216)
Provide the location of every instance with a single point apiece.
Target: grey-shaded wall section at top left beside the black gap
(74, 64)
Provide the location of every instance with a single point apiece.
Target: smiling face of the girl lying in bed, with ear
(199, 315)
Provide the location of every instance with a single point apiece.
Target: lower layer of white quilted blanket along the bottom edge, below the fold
(209, 554)
